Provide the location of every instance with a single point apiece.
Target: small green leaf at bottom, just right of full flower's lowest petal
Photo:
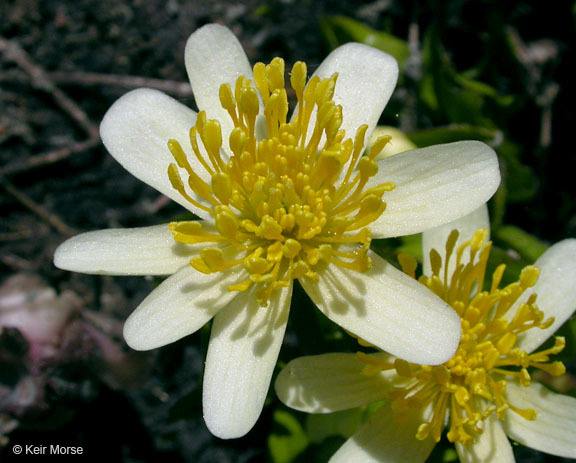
(288, 438)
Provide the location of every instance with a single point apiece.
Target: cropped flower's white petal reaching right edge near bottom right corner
(554, 429)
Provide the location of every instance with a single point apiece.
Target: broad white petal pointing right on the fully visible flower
(434, 185)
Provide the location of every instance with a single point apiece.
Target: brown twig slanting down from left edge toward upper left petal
(40, 80)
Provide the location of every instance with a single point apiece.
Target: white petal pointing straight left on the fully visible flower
(124, 251)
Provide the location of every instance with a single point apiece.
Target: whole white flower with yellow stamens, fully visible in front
(279, 201)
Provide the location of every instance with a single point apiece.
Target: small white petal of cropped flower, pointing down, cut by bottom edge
(490, 447)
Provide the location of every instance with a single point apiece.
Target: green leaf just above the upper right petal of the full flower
(340, 29)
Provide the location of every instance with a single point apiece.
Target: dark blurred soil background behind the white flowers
(63, 63)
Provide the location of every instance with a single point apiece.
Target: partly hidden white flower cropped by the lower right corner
(484, 393)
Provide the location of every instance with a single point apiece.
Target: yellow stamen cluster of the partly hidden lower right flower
(472, 385)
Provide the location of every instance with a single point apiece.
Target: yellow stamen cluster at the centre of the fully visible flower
(284, 203)
